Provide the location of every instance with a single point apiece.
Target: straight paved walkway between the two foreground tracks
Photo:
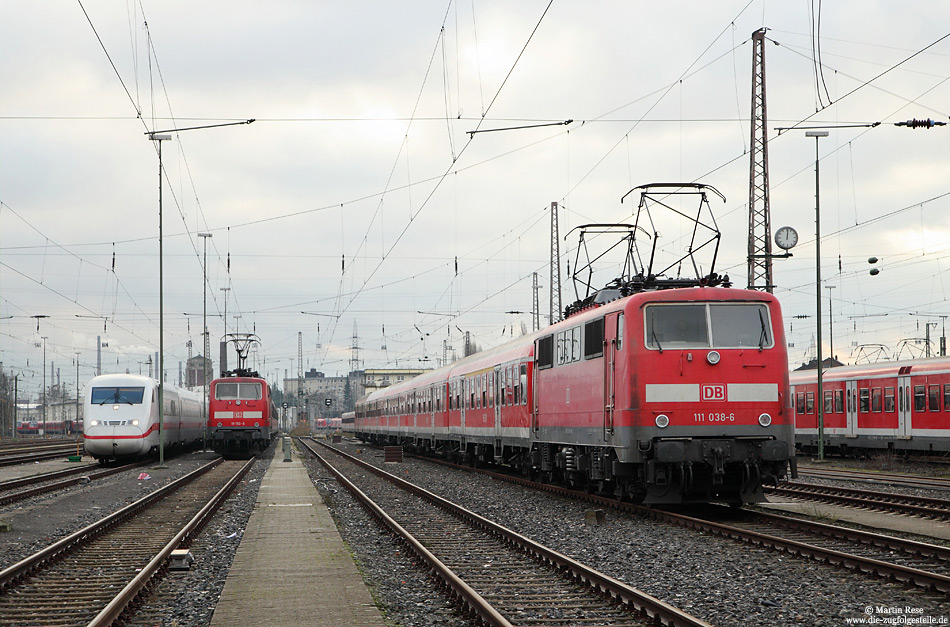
(291, 568)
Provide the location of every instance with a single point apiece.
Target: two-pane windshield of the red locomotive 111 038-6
(708, 325)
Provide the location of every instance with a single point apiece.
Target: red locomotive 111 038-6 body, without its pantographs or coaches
(689, 401)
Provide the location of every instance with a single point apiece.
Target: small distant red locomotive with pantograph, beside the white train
(242, 417)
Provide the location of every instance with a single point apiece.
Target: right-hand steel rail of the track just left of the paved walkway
(116, 608)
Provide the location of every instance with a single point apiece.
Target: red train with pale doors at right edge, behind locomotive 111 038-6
(887, 406)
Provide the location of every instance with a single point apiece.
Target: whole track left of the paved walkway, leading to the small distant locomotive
(91, 576)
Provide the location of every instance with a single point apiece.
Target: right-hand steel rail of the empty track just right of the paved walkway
(658, 610)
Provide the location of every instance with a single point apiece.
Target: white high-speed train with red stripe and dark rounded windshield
(120, 420)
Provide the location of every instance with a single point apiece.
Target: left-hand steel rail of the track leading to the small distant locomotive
(62, 547)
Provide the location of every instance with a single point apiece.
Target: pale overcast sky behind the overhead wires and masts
(360, 196)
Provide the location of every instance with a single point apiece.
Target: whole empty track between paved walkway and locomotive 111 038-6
(503, 577)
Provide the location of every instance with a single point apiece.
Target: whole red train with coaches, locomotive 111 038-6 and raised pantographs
(660, 390)
